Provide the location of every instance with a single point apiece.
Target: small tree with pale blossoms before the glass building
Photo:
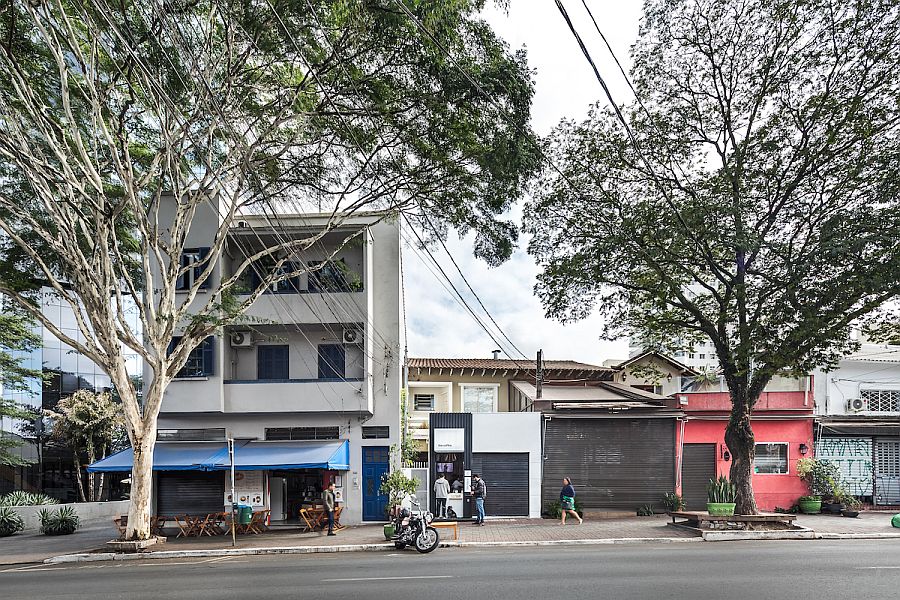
(91, 426)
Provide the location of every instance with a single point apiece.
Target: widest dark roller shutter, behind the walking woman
(613, 463)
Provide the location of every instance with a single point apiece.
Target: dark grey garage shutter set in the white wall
(506, 477)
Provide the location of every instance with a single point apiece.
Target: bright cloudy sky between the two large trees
(565, 87)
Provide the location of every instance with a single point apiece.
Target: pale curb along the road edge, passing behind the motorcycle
(224, 552)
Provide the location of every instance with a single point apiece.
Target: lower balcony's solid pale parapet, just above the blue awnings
(296, 395)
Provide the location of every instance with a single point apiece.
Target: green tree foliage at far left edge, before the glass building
(16, 338)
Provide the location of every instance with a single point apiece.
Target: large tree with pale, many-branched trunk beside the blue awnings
(110, 116)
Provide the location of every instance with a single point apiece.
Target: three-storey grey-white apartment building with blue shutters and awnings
(308, 385)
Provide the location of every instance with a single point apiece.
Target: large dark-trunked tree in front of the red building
(751, 200)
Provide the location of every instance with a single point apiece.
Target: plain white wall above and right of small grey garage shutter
(513, 432)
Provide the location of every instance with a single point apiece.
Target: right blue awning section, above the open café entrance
(268, 456)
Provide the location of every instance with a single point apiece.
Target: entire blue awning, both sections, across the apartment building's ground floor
(248, 456)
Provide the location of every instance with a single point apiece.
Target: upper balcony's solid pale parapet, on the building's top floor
(307, 307)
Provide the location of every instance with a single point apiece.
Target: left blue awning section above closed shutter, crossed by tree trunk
(168, 456)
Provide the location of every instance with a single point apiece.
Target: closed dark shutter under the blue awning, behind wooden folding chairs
(192, 493)
